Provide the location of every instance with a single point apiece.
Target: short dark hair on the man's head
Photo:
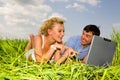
(92, 28)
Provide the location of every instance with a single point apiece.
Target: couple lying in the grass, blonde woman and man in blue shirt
(48, 46)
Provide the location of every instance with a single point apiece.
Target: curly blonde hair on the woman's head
(48, 24)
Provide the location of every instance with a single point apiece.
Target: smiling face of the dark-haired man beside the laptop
(86, 38)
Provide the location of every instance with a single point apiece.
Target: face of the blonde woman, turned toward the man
(57, 32)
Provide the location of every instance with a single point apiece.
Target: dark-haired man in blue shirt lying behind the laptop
(82, 43)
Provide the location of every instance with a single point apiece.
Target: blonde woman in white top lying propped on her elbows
(42, 47)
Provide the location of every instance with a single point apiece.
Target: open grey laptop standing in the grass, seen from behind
(101, 51)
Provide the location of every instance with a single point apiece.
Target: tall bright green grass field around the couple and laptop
(13, 65)
